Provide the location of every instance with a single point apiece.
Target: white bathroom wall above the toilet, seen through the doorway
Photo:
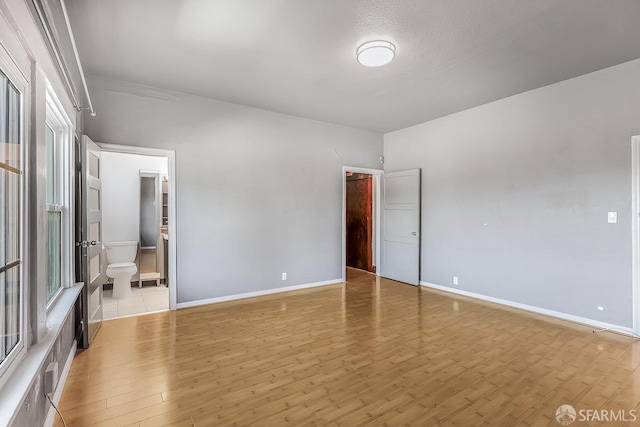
(121, 193)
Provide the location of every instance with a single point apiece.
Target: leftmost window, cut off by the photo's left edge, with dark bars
(11, 176)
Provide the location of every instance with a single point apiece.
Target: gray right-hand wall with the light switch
(515, 195)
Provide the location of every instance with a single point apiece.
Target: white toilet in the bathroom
(121, 257)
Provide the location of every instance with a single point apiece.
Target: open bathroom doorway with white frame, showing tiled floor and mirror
(138, 188)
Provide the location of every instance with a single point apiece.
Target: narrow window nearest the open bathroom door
(57, 135)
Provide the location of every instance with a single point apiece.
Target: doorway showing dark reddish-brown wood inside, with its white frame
(360, 225)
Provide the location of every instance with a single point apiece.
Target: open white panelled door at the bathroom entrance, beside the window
(91, 243)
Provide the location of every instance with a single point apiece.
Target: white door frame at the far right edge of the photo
(635, 230)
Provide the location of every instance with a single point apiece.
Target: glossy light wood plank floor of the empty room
(371, 352)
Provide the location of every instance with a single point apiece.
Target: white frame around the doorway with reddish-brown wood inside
(375, 208)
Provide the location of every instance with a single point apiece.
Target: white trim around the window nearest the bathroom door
(57, 119)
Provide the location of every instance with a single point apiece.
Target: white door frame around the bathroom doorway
(171, 157)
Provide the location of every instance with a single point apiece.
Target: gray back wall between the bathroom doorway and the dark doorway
(259, 193)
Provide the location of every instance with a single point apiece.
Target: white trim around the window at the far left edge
(12, 72)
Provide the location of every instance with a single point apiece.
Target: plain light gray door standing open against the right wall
(400, 249)
